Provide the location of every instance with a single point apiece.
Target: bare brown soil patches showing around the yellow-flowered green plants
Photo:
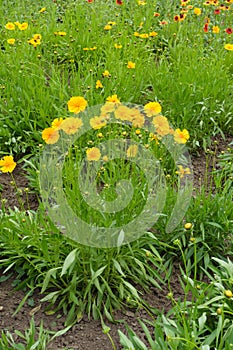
(87, 334)
